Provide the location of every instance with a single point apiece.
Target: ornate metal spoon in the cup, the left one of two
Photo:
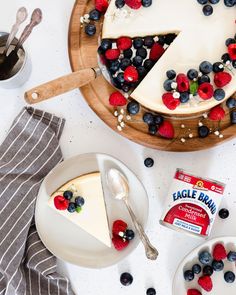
(21, 16)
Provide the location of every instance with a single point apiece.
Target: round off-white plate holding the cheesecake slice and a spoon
(66, 240)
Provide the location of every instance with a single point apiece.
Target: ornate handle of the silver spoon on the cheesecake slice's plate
(151, 251)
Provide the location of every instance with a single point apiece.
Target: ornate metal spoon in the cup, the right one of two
(11, 60)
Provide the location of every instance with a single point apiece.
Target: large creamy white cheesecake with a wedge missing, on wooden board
(199, 39)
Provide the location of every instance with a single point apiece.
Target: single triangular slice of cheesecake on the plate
(93, 216)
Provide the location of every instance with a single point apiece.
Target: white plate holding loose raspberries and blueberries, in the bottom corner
(220, 287)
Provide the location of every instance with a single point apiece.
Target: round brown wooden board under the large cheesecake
(82, 53)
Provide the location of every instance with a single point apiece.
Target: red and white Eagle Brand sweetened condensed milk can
(192, 203)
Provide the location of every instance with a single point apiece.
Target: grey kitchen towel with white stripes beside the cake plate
(30, 150)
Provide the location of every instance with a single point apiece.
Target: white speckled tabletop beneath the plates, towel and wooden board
(48, 50)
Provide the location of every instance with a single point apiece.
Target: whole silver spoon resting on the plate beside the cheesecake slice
(119, 188)
